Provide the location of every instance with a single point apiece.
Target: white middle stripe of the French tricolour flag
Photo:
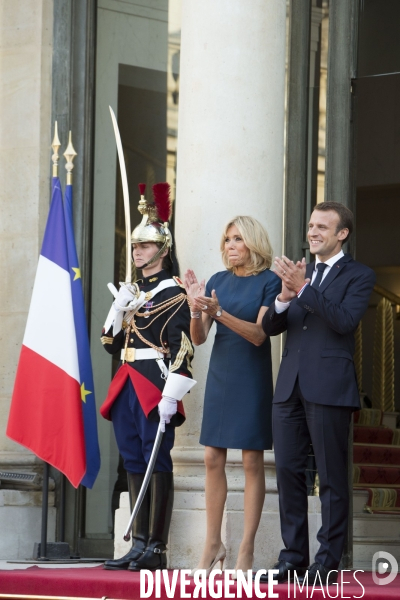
(50, 329)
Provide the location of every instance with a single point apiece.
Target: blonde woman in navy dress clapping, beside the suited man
(238, 396)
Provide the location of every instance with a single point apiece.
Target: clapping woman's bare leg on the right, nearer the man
(254, 496)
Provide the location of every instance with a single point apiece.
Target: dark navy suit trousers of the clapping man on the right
(297, 423)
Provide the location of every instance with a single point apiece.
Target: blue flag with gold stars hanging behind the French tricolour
(84, 358)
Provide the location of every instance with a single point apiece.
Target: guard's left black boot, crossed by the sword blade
(140, 527)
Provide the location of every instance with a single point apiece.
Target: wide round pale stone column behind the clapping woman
(230, 161)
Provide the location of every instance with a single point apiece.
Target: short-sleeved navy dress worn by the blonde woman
(238, 398)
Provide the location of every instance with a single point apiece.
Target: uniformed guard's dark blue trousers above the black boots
(135, 434)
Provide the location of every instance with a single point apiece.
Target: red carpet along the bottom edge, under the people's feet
(95, 582)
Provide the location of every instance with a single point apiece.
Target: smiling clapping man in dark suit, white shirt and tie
(320, 307)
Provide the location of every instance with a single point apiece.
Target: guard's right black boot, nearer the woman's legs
(162, 499)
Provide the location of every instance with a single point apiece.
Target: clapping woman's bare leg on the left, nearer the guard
(216, 490)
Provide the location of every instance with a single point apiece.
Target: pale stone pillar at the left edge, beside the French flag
(26, 45)
